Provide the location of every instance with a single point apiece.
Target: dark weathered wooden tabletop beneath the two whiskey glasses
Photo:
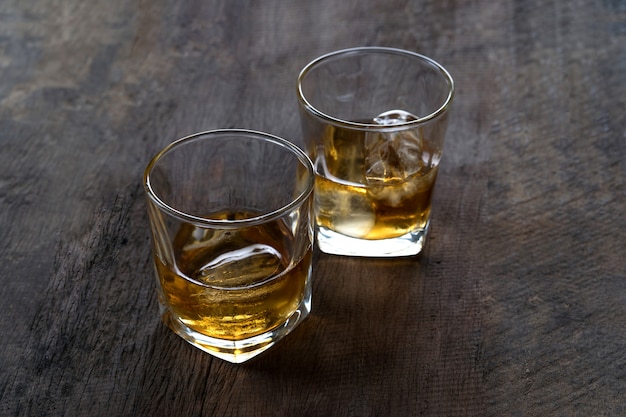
(516, 308)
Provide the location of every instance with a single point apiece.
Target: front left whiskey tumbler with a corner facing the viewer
(232, 239)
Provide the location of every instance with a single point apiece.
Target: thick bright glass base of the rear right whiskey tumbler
(335, 243)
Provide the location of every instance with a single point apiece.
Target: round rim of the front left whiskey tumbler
(230, 224)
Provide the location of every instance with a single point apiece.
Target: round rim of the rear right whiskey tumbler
(372, 126)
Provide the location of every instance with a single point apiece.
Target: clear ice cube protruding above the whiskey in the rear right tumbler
(394, 156)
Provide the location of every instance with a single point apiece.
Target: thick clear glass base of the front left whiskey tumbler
(238, 351)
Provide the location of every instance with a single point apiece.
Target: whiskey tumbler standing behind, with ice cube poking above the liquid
(374, 121)
